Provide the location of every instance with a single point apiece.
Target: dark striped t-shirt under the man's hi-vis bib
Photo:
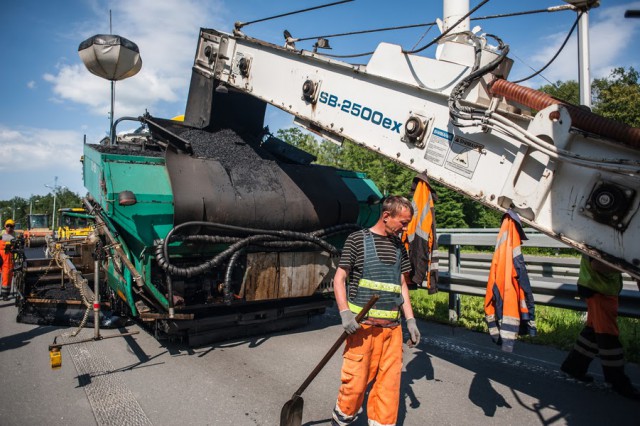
(352, 259)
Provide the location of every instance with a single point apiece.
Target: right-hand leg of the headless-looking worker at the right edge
(605, 323)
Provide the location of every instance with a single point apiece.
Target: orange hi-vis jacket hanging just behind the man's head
(420, 237)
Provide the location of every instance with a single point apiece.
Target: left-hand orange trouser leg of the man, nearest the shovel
(354, 375)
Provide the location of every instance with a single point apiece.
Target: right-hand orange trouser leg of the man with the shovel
(384, 397)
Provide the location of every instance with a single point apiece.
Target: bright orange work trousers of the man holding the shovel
(371, 353)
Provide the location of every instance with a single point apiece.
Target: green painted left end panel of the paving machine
(109, 171)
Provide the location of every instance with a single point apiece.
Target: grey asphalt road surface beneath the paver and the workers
(454, 377)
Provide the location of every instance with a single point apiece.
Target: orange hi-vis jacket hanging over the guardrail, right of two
(508, 305)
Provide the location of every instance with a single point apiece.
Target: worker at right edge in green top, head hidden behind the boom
(599, 285)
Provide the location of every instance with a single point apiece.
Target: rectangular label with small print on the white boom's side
(454, 152)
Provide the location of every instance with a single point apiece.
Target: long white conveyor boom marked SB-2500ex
(572, 177)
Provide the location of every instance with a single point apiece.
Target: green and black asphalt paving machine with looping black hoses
(216, 189)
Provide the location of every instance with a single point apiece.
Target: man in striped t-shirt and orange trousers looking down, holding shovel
(374, 261)
